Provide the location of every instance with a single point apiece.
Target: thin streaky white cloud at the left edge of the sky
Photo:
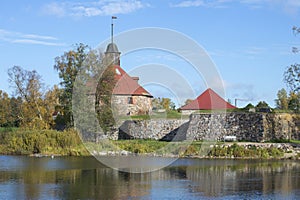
(17, 37)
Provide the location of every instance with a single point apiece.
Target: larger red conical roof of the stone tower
(127, 85)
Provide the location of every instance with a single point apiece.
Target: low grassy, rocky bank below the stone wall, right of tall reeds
(240, 150)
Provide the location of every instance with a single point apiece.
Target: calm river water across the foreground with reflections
(85, 178)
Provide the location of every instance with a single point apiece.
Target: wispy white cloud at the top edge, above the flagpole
(94, 8)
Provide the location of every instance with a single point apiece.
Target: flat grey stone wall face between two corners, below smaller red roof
(244, 126)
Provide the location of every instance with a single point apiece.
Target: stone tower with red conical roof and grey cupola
(129, 98)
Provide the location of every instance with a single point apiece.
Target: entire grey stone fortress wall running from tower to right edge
(255, 127)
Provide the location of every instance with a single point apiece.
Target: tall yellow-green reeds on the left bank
(41, 141)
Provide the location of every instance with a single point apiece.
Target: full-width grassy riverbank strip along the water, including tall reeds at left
(68, 143)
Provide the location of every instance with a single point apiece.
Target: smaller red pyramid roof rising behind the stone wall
(208, 100)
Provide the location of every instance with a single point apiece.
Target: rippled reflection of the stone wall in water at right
(246, 177)
